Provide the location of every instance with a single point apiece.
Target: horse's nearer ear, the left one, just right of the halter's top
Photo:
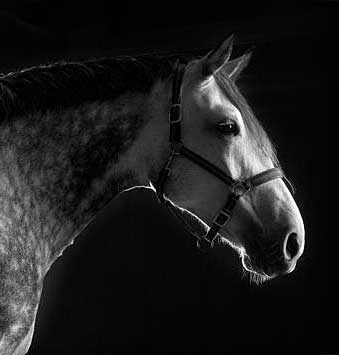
(217, 57)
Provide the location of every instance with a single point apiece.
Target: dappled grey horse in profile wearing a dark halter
(75, 135)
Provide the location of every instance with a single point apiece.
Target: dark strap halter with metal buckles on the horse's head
(237, 187)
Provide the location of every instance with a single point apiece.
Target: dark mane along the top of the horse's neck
(66, 84)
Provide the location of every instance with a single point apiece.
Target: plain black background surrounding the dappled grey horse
(133, 282)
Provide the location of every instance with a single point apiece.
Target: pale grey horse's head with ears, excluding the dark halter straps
(265, 227)
